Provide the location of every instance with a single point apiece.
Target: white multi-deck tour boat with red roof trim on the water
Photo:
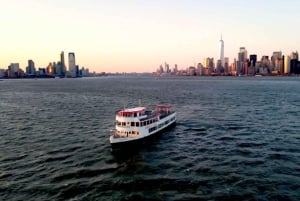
(133, 125)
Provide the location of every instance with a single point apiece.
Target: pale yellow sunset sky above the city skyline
(139, 35)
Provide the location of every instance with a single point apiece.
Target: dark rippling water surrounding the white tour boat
(236, 139)
